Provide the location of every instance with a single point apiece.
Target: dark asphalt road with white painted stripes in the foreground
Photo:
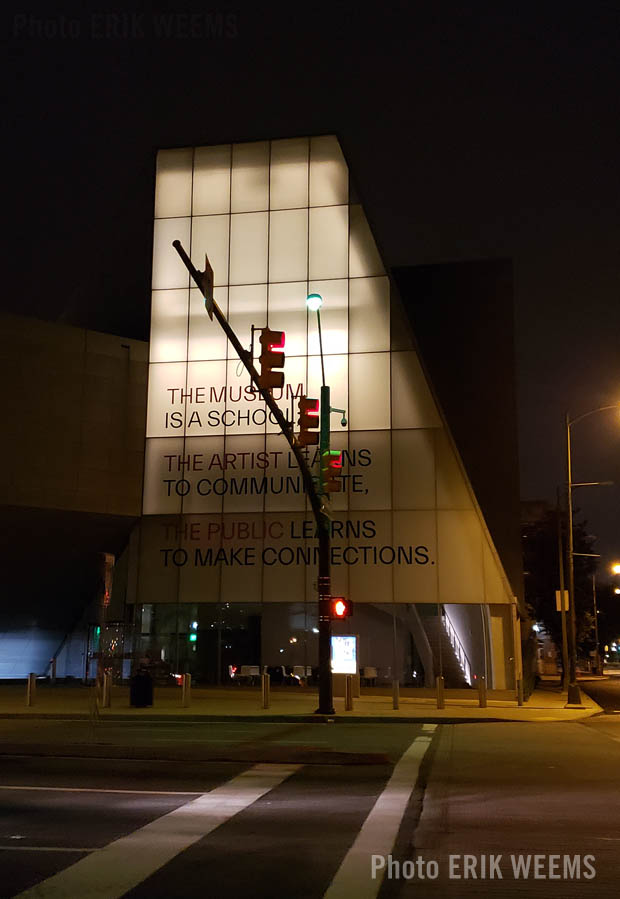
(147, 828)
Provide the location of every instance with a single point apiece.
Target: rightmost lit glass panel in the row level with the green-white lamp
(369, 315)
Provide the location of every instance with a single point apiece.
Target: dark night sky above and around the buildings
(473, 130)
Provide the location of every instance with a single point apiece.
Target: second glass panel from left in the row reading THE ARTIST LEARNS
(204, 465)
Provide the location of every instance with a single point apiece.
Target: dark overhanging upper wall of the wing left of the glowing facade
(73, 432)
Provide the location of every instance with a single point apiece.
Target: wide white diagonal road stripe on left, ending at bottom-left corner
(120, 866)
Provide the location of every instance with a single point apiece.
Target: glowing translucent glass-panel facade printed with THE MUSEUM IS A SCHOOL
(225, 516)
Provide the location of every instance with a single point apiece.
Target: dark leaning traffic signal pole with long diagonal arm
(322, 522)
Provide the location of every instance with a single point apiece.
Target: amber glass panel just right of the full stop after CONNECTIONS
(460, 557)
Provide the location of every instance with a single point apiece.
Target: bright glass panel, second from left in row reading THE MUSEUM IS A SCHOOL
(205, 395)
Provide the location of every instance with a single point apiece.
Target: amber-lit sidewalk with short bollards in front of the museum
(240, 704)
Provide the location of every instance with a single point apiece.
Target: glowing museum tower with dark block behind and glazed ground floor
(220, 569)
